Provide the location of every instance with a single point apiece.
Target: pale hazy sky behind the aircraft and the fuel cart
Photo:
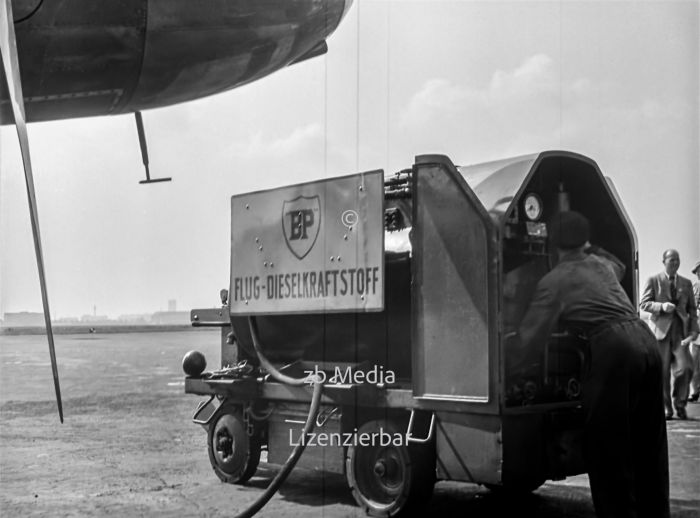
(477, 81)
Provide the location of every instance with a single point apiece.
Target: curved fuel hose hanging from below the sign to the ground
(308, 426)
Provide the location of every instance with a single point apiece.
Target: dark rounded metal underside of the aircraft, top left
(81, 58)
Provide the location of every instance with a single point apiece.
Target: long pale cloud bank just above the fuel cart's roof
(531, 107)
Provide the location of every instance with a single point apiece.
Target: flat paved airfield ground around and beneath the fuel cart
(128, 447)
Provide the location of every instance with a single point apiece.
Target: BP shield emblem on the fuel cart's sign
(301, 221)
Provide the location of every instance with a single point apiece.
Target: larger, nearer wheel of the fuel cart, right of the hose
(389, 480)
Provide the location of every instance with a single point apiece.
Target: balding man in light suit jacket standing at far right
(669, 299)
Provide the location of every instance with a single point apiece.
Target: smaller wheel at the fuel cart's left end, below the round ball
(233, 454)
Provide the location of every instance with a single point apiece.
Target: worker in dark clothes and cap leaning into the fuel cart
(625, 447)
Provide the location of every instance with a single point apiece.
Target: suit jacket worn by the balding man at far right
(657, 290)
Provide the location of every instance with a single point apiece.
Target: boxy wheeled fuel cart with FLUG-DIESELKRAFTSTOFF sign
(369, 319)
